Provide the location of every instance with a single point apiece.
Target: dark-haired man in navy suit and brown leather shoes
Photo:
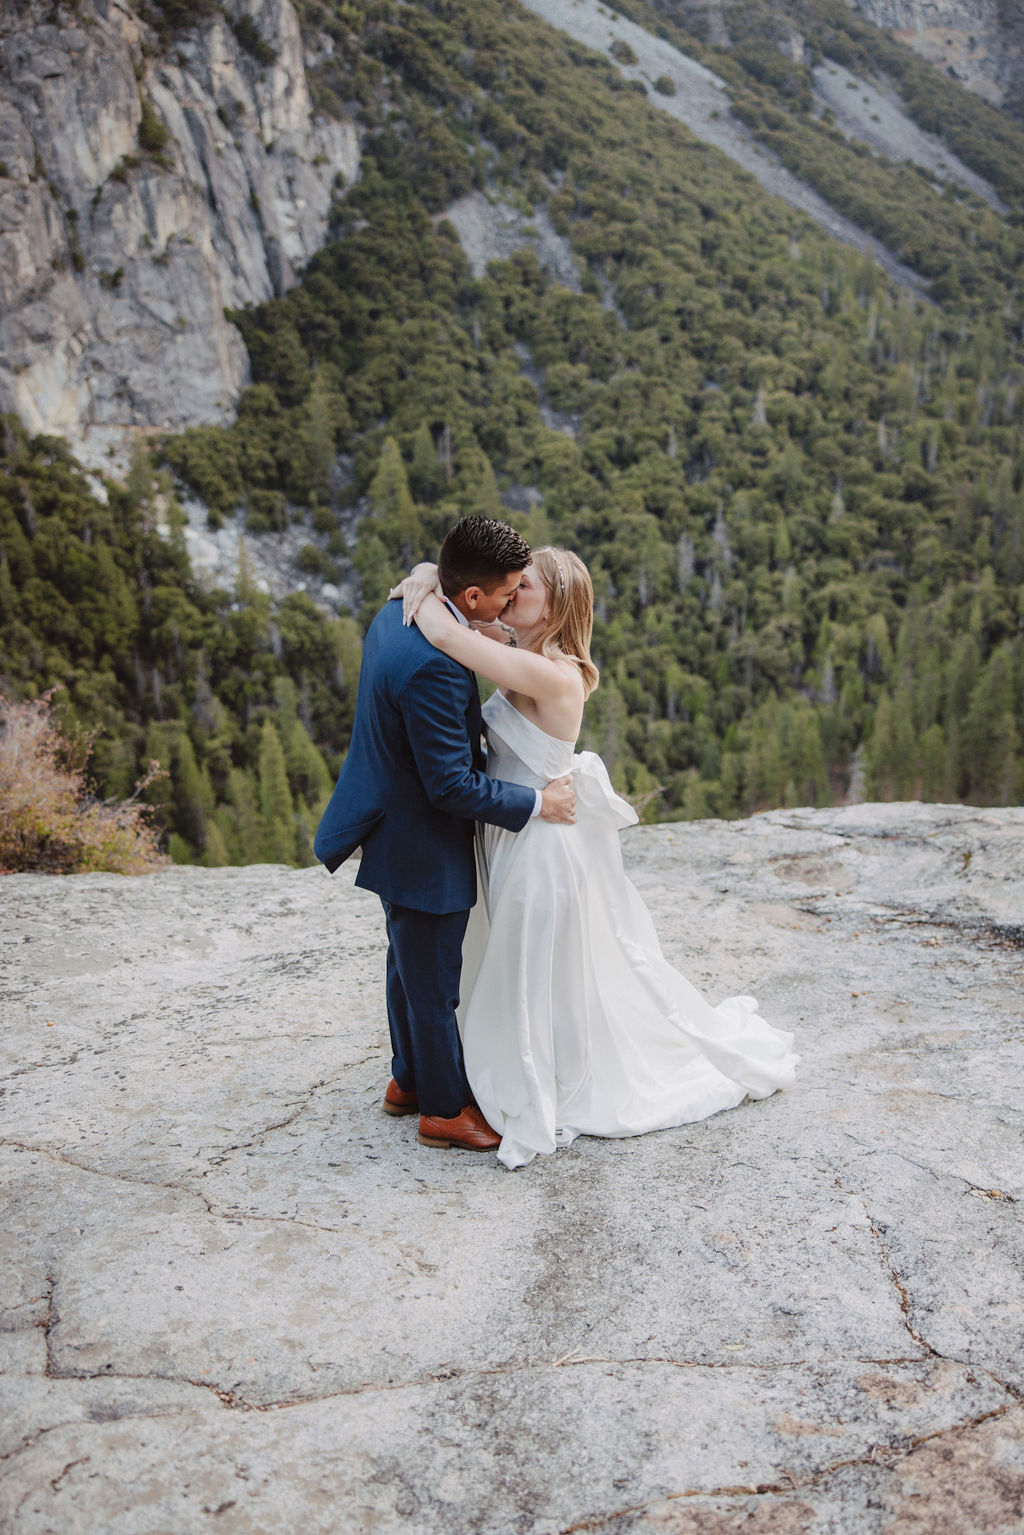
(409, 794)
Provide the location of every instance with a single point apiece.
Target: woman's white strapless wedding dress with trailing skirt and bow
(573, 1022)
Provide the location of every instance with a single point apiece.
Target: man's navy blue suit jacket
(414, 781)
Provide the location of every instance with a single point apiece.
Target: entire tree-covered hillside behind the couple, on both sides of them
(799, 490)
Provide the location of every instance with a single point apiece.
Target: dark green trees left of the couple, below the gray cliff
(226, 695)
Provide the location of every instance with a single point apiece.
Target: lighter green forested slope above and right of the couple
(801, 494)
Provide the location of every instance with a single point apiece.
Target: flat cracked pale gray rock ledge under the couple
(237, 1296)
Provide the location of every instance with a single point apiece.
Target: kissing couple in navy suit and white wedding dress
(527, 995)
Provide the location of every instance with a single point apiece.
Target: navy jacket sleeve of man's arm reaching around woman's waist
(434, 711)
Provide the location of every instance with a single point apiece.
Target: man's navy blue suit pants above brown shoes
(424, 968)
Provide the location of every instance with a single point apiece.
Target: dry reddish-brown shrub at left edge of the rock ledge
(50, 824)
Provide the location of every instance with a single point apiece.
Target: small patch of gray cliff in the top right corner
(980, 42)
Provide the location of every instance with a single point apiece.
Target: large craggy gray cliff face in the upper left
(117, 265)
